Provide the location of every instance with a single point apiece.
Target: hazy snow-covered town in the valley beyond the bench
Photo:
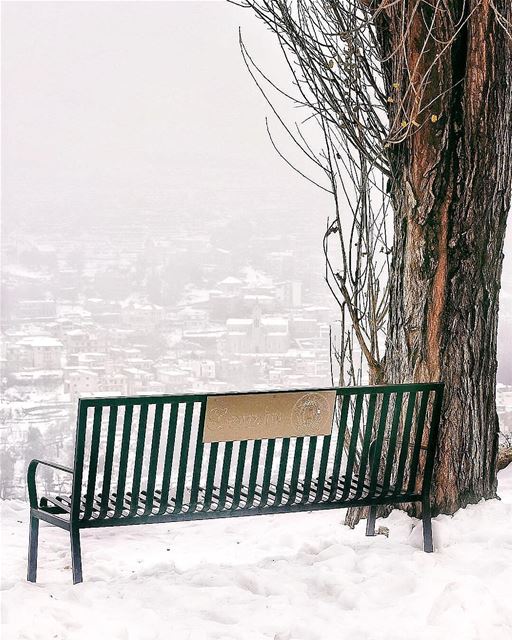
(170, 312)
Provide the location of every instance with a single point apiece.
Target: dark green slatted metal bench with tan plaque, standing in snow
(168, 458)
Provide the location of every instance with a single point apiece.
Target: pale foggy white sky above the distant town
(132, 106)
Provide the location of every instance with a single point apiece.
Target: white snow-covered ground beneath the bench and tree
(283, 577)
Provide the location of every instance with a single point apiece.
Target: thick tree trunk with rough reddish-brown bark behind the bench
(451, 195)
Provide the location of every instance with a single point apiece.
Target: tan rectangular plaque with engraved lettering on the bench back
(269, 415)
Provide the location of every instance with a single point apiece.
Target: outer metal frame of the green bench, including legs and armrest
(50, 512)
